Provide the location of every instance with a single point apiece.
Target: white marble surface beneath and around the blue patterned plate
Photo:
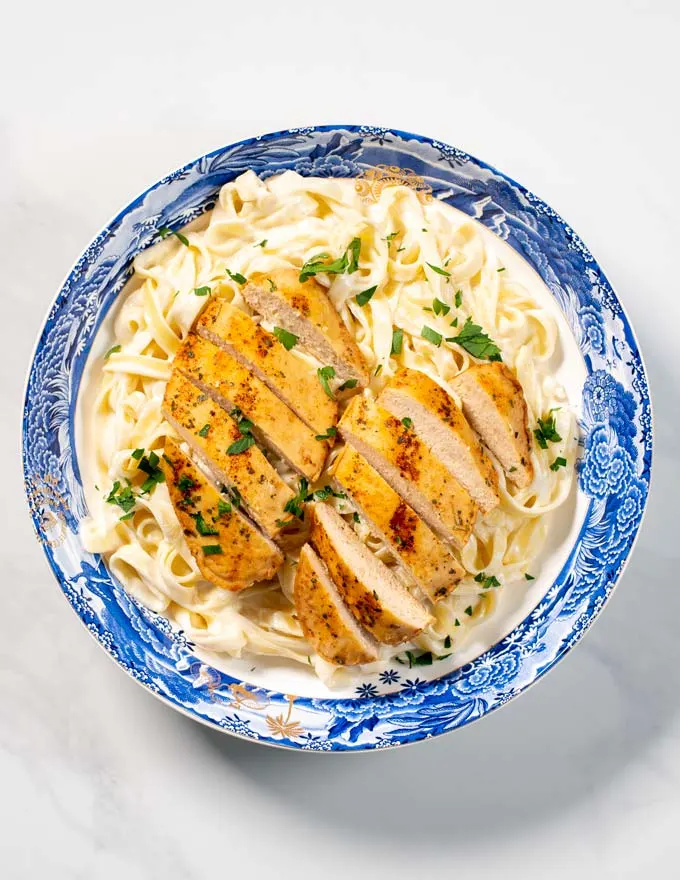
(578, 778)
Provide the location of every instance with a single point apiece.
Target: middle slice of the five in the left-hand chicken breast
(233, 386)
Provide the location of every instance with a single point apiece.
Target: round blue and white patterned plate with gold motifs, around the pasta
(400, 705)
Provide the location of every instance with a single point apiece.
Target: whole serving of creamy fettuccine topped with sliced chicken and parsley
(327, 430)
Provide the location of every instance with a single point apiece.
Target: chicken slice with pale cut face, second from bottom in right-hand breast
(375, 597)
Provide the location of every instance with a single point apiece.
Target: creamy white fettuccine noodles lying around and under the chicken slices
(259, 226)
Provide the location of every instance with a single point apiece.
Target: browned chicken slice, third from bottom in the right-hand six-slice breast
(427, 559)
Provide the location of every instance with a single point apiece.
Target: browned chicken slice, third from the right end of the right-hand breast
(411, 468)
